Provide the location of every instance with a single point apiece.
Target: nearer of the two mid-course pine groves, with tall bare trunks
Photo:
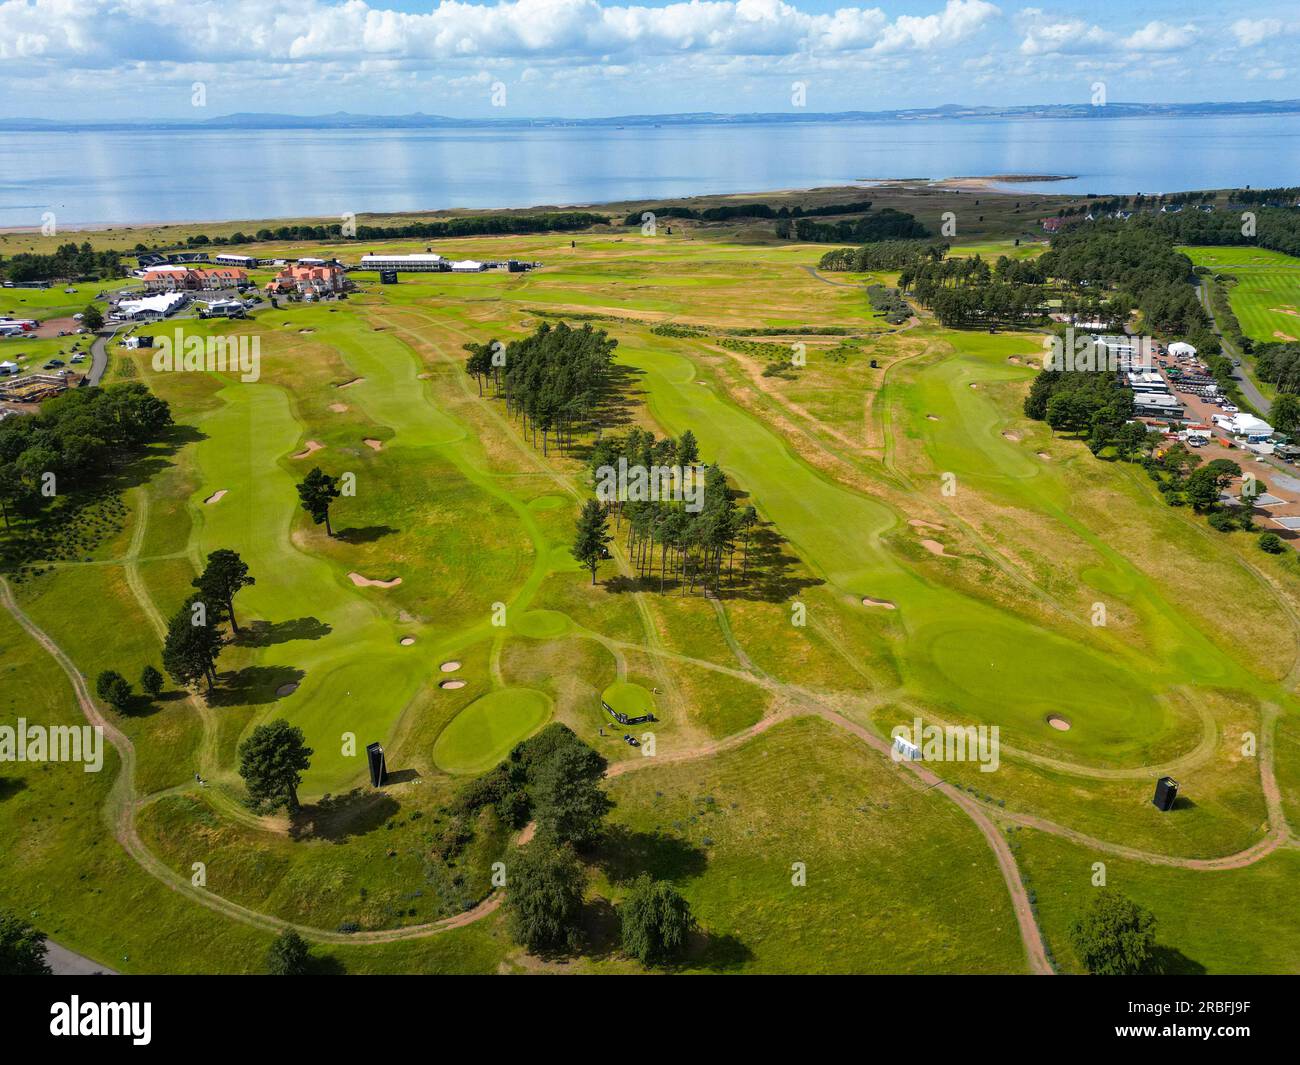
(688, 547)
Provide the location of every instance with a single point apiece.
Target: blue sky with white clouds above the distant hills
(194, 59)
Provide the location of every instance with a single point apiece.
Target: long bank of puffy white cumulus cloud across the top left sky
(287, 31)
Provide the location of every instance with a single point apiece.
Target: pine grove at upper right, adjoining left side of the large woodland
(969, 292)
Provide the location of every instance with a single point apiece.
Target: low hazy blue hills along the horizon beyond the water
(418, 120)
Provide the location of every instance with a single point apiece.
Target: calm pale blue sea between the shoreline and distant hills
(180, 176)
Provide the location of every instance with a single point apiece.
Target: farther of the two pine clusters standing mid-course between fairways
(551, 380)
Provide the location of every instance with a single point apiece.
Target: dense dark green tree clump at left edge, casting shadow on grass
(79, 438)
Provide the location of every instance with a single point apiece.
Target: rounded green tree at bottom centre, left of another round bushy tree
(544, 897)
